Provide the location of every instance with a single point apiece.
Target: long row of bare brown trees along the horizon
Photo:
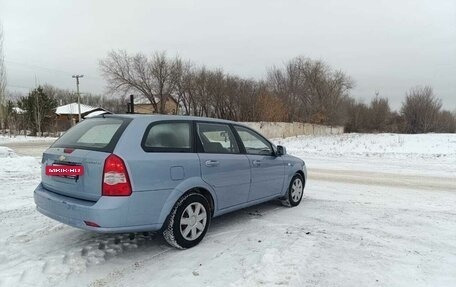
(300, 90)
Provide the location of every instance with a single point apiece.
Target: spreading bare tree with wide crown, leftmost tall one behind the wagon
(154, 77)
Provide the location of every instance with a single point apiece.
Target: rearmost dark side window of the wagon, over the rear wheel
(168, 137)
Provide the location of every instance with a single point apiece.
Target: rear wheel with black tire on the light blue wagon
(188, 221)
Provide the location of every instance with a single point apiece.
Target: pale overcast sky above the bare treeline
(385, 46)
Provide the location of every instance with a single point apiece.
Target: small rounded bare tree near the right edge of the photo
(420, 110)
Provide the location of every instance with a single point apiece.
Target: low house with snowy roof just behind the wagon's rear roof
(68, 115)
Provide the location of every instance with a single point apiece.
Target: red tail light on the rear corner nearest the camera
(115, 177)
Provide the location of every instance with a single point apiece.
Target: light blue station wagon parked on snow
(162, 173)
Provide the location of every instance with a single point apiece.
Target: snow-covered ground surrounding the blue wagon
(378, 211)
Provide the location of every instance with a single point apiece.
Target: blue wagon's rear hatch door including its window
(87, 144)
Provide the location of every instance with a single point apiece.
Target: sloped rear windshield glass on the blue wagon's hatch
(99, 134)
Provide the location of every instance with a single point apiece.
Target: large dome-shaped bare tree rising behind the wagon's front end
(311, 90)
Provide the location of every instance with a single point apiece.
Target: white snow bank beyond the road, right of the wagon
(424, 154)
